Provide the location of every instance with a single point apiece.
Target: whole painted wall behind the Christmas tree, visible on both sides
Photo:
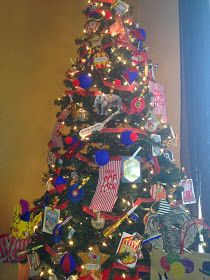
(37, 40)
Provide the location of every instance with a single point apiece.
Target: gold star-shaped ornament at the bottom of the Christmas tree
(92, 262)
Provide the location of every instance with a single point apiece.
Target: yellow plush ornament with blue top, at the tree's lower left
(22, 223)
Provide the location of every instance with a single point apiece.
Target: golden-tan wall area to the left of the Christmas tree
(37, 40)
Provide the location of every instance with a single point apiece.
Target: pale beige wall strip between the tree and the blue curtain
(160, 18)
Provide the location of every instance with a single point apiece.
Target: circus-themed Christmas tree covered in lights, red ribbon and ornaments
(113, 189)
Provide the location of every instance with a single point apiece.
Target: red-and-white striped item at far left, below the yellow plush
(10, 247)
